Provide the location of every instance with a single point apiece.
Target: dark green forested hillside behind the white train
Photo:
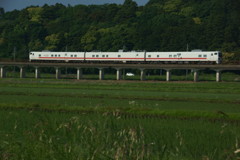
(160, 25)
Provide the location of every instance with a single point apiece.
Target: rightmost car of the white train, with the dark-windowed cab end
(194, 56)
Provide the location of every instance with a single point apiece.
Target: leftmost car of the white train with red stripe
(56, 56)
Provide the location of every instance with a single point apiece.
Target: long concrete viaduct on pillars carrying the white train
(118, 67)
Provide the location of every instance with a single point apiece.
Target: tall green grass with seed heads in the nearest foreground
(33, 135)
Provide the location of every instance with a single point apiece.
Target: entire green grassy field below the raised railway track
(70, 119)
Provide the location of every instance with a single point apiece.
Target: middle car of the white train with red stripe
(115, 56)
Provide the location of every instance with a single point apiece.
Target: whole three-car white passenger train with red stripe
(195, 56)
